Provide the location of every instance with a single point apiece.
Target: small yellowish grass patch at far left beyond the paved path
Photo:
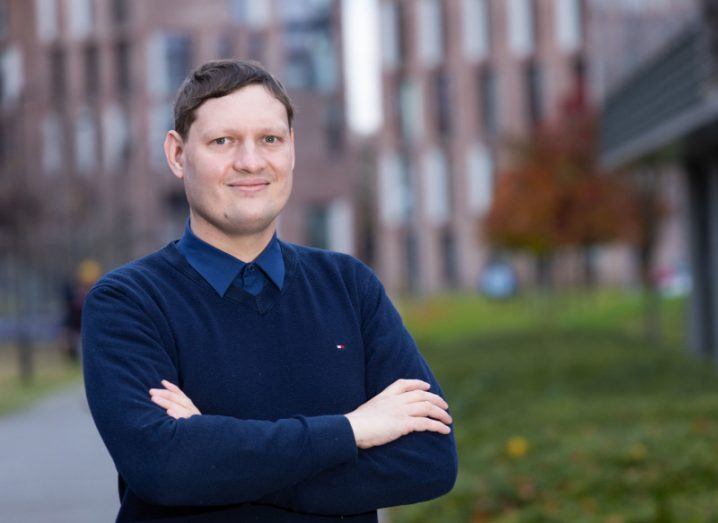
(51, 372)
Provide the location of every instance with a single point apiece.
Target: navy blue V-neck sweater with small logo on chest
(273, 376)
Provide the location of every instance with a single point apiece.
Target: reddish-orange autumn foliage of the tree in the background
(555, 194)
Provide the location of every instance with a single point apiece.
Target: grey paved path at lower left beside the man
(53, 465)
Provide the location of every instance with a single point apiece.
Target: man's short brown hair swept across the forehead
(218, 78)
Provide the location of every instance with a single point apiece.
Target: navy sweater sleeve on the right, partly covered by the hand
(416, 467)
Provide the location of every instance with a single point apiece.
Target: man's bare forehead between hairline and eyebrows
(250, 107)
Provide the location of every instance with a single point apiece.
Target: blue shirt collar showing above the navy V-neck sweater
(221, 269)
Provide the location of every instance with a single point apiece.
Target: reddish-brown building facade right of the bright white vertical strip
(459, 78)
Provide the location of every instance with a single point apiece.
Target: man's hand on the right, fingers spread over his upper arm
(404, 406)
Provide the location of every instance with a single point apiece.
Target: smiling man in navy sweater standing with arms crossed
(237, 377)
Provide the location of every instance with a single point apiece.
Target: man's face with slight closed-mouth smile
(237, 162)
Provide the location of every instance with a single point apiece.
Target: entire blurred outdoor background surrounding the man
(534, 181)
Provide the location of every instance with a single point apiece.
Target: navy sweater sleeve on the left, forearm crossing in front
(202, 460)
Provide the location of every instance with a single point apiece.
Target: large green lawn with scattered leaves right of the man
(565, 413)
